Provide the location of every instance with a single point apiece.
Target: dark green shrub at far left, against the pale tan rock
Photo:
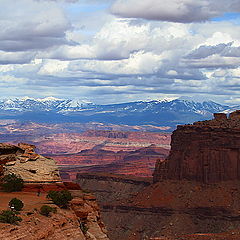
(12, 183)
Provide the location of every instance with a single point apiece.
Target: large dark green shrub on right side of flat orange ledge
(60, 198)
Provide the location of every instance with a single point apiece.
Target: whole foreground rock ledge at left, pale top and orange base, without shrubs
(41, 173)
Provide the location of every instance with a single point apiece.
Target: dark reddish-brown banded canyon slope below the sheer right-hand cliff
(135, 209)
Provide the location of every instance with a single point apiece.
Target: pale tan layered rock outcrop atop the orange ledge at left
(23, 161)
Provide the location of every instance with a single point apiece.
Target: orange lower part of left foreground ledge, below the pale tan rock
(80, 222)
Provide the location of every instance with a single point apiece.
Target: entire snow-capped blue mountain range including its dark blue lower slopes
(156, 112)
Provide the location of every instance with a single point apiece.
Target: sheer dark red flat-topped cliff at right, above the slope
(207, 151)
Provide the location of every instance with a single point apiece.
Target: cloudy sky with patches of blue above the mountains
(111, 51)
